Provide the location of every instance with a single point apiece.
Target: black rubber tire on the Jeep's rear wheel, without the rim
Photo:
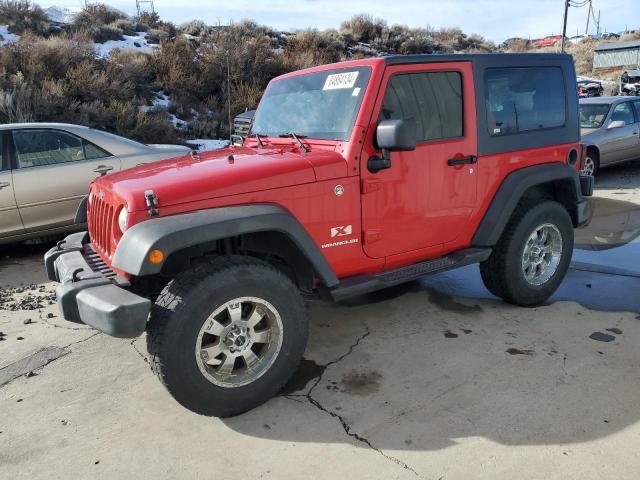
(502, 272)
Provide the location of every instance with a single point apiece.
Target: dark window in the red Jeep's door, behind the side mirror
(434, 99)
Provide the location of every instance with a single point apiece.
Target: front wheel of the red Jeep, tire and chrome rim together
(227, 336)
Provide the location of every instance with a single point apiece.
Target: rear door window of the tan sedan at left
(36, 148)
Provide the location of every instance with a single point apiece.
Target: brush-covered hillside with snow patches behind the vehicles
(151, 80)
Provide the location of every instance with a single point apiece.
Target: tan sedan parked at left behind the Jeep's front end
(46, 169)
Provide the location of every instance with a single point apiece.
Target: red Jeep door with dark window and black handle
(423, 199)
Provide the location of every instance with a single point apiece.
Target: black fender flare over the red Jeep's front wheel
(177, 232)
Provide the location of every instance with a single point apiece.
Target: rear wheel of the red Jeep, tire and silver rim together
(533, 255)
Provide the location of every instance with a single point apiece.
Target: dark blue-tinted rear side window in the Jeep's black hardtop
(524, 99)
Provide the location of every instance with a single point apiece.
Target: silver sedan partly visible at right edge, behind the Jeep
(610, 128)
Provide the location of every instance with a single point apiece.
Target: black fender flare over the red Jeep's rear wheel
(514, 187)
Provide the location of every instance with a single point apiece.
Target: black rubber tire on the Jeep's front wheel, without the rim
(180, 312)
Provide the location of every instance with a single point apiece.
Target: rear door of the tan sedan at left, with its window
(52, 173)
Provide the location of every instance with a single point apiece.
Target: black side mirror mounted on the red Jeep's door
(392, 136)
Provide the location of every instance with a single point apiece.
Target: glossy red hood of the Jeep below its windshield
(221, 173)
